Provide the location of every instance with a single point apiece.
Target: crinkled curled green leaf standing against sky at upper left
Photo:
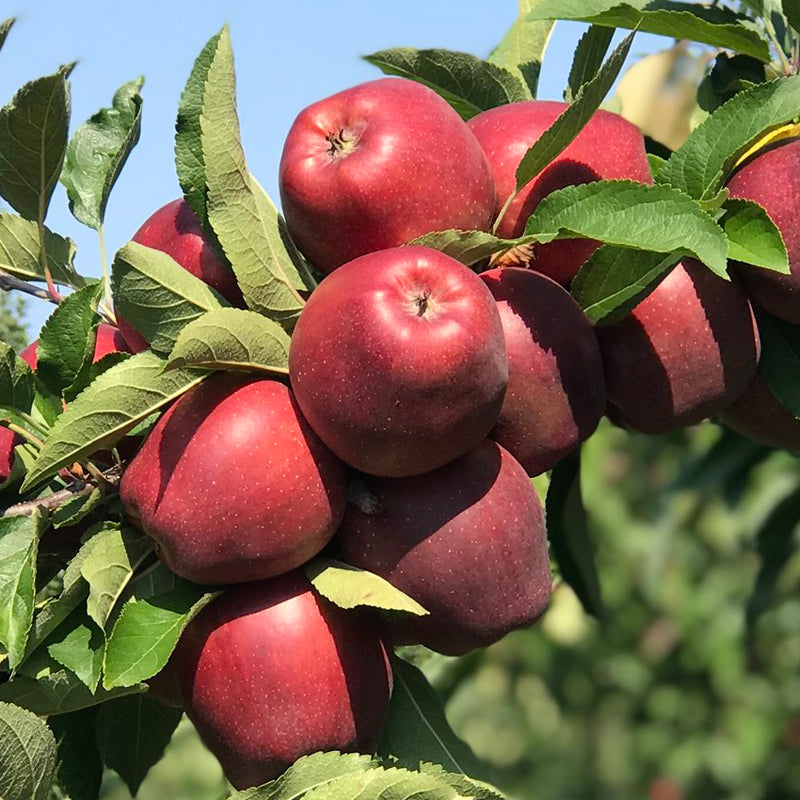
(98, 151)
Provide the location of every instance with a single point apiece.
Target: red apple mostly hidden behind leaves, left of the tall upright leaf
(175, 230)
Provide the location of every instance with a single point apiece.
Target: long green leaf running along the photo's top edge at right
(717, 26)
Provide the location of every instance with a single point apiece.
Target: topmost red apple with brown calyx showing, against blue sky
(409, 165)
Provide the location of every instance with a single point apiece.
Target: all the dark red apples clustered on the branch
(421, 399)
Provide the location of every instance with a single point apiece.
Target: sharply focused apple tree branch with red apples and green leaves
(247, 470)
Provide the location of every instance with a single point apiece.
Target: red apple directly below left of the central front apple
(233, 484)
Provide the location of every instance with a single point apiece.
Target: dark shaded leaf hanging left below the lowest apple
(132, 733)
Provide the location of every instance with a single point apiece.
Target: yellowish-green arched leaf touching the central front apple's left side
(232, 339)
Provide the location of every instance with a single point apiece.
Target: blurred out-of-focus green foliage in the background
(689, 688)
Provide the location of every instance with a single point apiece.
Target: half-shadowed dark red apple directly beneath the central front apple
(468, 542)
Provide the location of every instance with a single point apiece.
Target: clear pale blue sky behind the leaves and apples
(288, 54)
